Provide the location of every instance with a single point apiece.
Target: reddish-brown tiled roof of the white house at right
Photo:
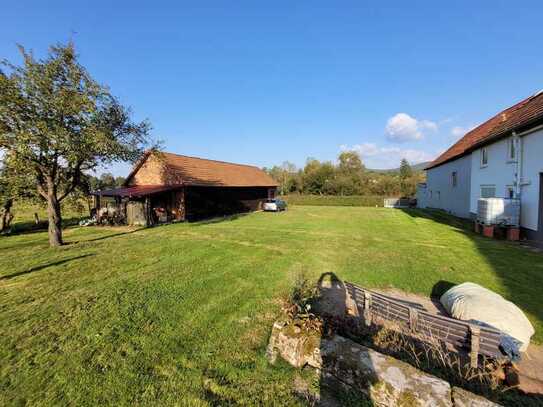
(512, 118)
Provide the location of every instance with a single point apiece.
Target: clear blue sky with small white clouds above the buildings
(263, 82)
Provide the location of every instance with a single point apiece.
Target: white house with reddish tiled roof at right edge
(502, 157)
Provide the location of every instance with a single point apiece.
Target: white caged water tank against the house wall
(499, 211)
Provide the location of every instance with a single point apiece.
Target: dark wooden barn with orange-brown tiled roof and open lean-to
(165, 187)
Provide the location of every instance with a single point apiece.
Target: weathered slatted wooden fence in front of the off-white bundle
(377, 308)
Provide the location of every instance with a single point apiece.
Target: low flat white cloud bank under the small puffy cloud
(378, 157)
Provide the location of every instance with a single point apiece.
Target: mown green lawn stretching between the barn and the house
(181, 314)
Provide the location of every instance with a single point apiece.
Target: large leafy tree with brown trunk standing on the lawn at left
(56, 123)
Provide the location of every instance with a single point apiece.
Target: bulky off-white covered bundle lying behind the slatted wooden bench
(473, 303)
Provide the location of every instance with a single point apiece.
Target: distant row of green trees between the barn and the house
(348, 176)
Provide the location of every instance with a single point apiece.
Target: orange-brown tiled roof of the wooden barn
(185, 170)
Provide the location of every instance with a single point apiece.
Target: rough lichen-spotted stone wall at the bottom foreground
(385, 380)
